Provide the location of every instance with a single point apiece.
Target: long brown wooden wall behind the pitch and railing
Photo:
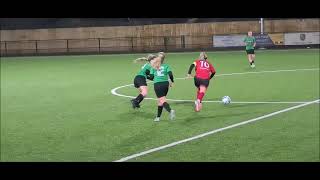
(169, 37)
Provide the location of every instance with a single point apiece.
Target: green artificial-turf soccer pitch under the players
(61, 108)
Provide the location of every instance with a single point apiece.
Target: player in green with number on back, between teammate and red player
(159, 74)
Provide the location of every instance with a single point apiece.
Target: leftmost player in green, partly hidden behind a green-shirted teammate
(140, 80)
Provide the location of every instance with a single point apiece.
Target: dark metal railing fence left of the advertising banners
(105, 45)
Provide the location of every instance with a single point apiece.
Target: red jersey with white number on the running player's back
(203, 69)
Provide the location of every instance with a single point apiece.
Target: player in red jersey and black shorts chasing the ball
(204, 72)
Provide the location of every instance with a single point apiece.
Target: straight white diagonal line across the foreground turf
(213, 132)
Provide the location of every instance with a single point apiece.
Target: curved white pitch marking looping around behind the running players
(114, 91)
